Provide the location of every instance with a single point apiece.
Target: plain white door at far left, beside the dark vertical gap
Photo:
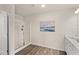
(3, 33)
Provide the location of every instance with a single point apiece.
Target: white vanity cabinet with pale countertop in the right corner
(71, 46)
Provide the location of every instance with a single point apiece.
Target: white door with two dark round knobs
(19, 33)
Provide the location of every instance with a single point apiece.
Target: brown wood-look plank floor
(38, 50)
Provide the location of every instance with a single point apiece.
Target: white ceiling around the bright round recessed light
(30, 9)
